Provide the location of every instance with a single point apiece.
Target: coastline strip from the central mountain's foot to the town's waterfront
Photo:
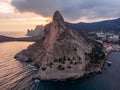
(99, 68)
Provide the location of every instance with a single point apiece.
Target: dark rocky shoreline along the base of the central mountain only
(96, 69)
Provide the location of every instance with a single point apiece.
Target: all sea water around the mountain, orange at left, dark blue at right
(15, 75)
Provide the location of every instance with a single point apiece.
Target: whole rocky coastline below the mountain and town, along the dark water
(91, 68)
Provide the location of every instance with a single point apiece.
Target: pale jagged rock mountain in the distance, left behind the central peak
(37, 31)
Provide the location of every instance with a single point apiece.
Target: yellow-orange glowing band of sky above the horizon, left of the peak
(21, 22)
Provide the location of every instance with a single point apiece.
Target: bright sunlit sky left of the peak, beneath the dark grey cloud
(12, 20)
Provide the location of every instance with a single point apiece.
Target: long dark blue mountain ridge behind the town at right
(108, 25)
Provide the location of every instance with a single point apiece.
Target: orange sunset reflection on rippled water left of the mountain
(14, 75)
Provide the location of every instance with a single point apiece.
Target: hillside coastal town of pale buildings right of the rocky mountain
(109, 40)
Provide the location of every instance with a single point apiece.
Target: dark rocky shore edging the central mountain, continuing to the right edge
(90, 69)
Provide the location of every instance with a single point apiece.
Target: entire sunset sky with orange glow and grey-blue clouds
(19, 15)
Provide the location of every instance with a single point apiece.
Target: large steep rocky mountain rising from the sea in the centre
(63, 53)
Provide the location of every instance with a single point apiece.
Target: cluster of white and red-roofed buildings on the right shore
(107, 39)
